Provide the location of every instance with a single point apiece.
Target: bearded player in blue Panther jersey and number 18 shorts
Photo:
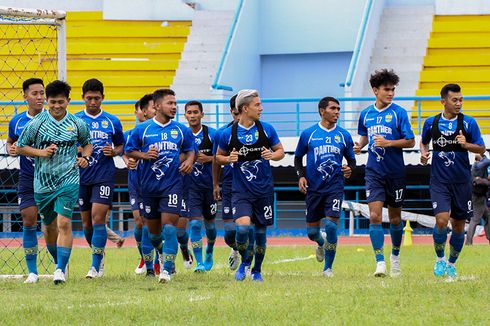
(157, 144)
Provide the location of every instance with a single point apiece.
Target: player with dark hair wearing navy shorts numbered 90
(97, 180)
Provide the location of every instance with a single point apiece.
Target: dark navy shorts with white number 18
(154, 206)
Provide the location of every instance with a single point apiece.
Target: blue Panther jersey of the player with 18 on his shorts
(157, 177)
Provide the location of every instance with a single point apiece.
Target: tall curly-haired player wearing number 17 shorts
(385, 127)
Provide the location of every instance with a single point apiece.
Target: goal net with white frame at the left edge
(28, 48)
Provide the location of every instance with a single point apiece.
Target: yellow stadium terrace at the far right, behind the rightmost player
(458, 52)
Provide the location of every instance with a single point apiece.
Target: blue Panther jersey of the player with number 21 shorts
(324, 150)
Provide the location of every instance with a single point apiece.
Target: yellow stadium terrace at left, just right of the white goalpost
(131, 58)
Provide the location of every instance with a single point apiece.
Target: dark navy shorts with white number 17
(388, 190)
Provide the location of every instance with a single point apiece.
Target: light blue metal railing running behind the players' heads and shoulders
(290, 116)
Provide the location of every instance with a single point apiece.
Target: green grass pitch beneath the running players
(294, 292)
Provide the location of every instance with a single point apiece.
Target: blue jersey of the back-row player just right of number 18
(201, 176)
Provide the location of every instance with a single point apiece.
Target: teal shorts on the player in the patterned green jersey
(61, 201)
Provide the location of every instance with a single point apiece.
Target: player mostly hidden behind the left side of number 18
(144, 110)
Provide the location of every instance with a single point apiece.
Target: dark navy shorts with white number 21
(320, 205)
